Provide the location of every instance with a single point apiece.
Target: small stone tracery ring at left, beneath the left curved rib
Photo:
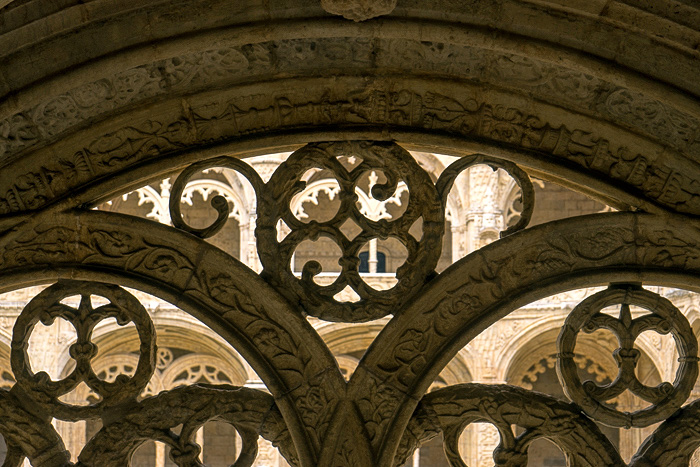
(45, 308)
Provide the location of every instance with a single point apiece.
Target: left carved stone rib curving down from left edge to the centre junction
(191, 301)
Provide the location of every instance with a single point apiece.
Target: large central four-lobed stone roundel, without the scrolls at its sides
(274, 205)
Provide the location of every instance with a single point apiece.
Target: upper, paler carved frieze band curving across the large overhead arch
(200, 69)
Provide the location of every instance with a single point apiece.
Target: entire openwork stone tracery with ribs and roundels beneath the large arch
(313, 415)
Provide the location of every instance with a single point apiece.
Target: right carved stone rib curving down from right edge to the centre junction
(430, 316)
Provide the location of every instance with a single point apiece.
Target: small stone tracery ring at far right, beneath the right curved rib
(664, 318)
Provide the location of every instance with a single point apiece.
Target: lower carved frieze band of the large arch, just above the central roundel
(431, 111)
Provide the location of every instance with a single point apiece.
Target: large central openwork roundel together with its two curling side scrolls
(425, 207)
